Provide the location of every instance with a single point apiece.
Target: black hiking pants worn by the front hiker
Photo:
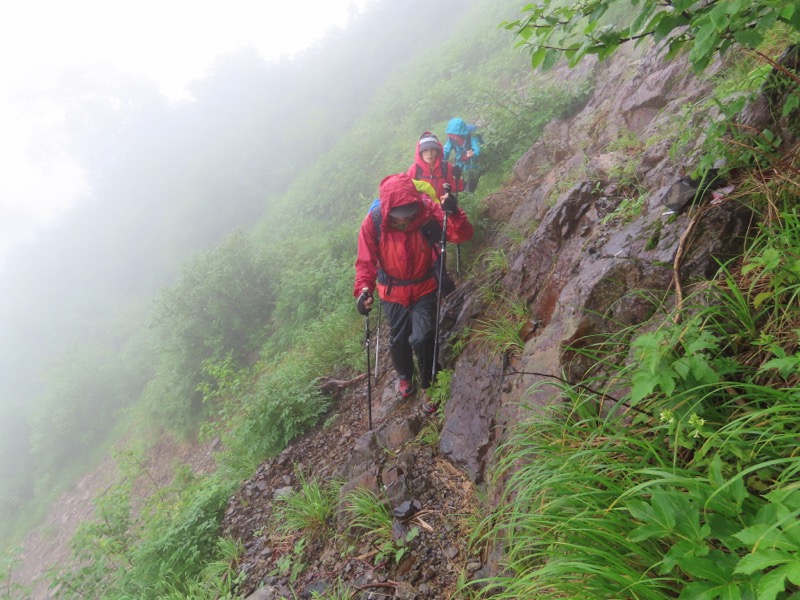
(412, 330)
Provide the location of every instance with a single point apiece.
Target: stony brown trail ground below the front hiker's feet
(438, 555)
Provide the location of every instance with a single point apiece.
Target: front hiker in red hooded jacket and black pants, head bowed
(395, 251)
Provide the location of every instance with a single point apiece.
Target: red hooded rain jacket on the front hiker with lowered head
(403, 255)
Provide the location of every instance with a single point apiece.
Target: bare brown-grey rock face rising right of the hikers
(589, 265)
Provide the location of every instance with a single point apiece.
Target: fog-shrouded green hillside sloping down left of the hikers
(221, 236)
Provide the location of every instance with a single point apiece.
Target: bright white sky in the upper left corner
(169, 42)
